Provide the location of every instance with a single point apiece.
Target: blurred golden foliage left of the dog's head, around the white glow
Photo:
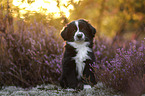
(9, 12)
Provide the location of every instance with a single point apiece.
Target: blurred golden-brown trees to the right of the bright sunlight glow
(112, 18)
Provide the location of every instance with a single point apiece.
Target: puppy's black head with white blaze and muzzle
(79, 30)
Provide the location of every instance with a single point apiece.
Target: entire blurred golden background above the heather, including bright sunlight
(123, 17)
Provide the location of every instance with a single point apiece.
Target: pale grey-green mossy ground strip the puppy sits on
(53, 90)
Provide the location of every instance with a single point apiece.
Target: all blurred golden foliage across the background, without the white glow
(111, 18)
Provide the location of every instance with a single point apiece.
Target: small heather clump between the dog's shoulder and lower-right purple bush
(103, 50)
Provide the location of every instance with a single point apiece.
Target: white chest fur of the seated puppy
(82, 50)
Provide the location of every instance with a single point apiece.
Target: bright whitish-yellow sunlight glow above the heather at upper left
(45, 7)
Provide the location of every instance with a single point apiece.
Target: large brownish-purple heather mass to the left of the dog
(30, 55)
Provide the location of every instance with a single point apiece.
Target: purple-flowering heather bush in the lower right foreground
(126, 67)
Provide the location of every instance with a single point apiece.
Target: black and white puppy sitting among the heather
(78, 55)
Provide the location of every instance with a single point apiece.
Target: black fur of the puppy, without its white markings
(69, 74)
